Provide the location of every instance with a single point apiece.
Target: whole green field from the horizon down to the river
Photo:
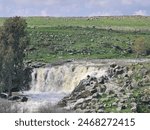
(54, 39)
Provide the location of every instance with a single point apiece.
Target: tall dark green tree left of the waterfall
(13, 43)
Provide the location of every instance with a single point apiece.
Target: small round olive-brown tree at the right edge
(141, 47)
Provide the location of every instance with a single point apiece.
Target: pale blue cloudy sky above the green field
(65, 8)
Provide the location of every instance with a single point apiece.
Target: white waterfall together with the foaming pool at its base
(51, 84)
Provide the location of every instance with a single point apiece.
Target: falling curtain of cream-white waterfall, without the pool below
(62, 78)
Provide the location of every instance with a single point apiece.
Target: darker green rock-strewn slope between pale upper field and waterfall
(50, 44)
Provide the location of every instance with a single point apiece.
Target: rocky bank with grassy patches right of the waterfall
(120, 89)
